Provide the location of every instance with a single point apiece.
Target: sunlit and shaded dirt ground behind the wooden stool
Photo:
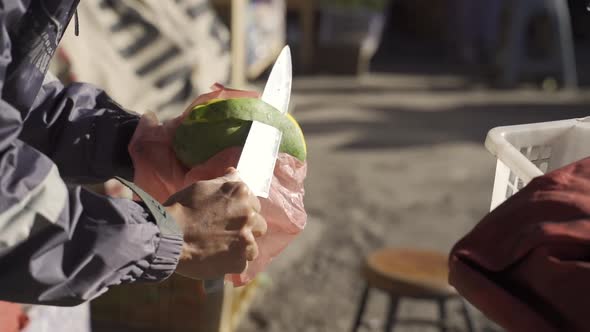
(393, 161)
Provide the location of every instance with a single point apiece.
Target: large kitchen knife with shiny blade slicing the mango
(259, 155)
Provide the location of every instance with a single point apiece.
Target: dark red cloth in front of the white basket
(526, 265)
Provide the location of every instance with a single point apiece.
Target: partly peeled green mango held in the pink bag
(220, 124)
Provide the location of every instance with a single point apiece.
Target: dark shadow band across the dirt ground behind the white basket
(401, 128)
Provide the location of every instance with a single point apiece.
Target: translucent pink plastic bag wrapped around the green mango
(160, 173)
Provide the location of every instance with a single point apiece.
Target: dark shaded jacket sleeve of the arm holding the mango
(82, 130)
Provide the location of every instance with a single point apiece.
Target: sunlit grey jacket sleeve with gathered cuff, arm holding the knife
(63, 246)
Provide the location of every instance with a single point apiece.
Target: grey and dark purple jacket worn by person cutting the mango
(61, 244)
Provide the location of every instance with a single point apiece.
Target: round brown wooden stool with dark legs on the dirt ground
(409, 273)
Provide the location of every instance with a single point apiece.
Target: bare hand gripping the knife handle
(220, 219)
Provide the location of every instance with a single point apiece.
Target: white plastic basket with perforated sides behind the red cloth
(527, 151)
